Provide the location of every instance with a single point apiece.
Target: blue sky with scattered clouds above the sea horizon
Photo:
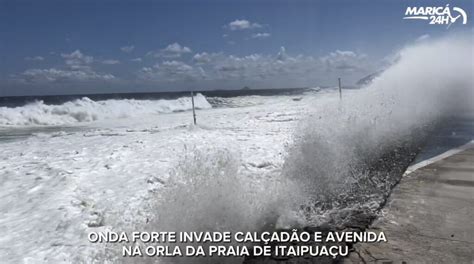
(70, 47)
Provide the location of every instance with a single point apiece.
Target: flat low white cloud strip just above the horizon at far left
(53, 75)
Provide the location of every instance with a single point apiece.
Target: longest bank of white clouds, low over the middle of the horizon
(280, 69)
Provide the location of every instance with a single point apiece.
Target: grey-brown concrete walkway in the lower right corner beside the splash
(429, 217)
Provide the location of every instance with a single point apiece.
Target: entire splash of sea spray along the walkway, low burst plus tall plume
(345, 156)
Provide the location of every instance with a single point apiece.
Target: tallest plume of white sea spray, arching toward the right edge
(340, 153)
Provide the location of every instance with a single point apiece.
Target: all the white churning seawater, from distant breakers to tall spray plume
(252, 162)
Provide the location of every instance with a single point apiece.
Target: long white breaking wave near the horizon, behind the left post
(87, 110)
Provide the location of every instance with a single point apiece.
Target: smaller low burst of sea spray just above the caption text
(206, 191)
